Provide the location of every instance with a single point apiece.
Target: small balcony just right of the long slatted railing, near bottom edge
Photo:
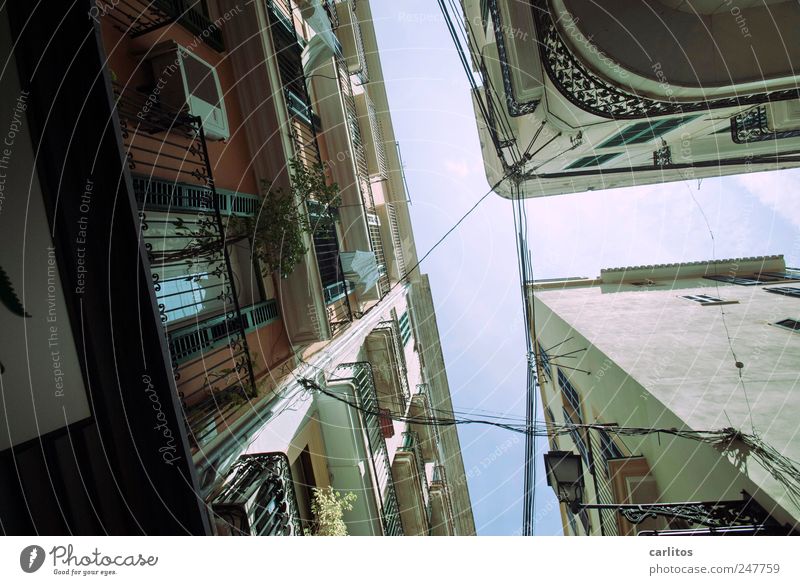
(413, 493)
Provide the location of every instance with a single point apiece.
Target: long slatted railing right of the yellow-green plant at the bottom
(360, 373)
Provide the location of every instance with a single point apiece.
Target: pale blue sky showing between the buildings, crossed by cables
(474, 273)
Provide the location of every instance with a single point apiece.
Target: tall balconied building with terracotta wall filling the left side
(271, 370)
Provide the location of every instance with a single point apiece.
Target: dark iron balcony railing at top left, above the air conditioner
(139, 17)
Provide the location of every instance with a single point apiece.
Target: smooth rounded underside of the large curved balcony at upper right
(694, 47)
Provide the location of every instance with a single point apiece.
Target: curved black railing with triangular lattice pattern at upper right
(591, 93)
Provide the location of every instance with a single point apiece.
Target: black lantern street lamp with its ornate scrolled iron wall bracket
(565, 476)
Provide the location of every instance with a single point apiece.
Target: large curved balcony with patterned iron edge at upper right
(571, 68)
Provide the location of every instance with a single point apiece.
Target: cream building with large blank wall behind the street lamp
(663, 347)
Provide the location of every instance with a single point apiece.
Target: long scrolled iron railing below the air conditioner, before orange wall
(188, 258)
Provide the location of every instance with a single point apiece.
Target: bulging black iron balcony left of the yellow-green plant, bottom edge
(258, 499)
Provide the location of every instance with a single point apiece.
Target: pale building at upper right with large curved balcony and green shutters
(574, 96)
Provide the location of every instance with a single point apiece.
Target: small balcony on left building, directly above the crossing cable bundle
(385, 353)
